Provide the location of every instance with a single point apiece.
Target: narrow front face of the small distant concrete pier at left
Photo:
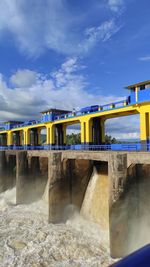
(22, 179)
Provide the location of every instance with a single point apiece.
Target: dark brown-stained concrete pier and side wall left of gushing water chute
(68, 181)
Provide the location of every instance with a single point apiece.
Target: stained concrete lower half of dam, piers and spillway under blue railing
(106, 187)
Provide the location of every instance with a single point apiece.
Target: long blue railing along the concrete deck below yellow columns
(111, 147)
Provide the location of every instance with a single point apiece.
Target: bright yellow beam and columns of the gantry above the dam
(86, 124)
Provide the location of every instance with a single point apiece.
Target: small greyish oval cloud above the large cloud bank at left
(23, 78)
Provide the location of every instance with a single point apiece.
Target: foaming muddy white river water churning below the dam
(26, 239)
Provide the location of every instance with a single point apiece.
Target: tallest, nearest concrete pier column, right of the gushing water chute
(118, 218)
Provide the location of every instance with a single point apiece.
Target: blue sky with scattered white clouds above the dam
(71, 53)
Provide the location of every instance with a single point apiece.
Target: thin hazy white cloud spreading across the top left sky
(36, 27)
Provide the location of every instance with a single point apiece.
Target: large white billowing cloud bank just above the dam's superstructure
(64, 88)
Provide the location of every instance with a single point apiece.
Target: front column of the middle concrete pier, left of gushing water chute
(58, 188)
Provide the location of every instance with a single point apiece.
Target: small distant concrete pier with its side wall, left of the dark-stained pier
(30, 179)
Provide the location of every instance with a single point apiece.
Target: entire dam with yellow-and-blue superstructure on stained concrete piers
(108, 183)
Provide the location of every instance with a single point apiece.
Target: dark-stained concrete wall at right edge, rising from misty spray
(129, 212)
